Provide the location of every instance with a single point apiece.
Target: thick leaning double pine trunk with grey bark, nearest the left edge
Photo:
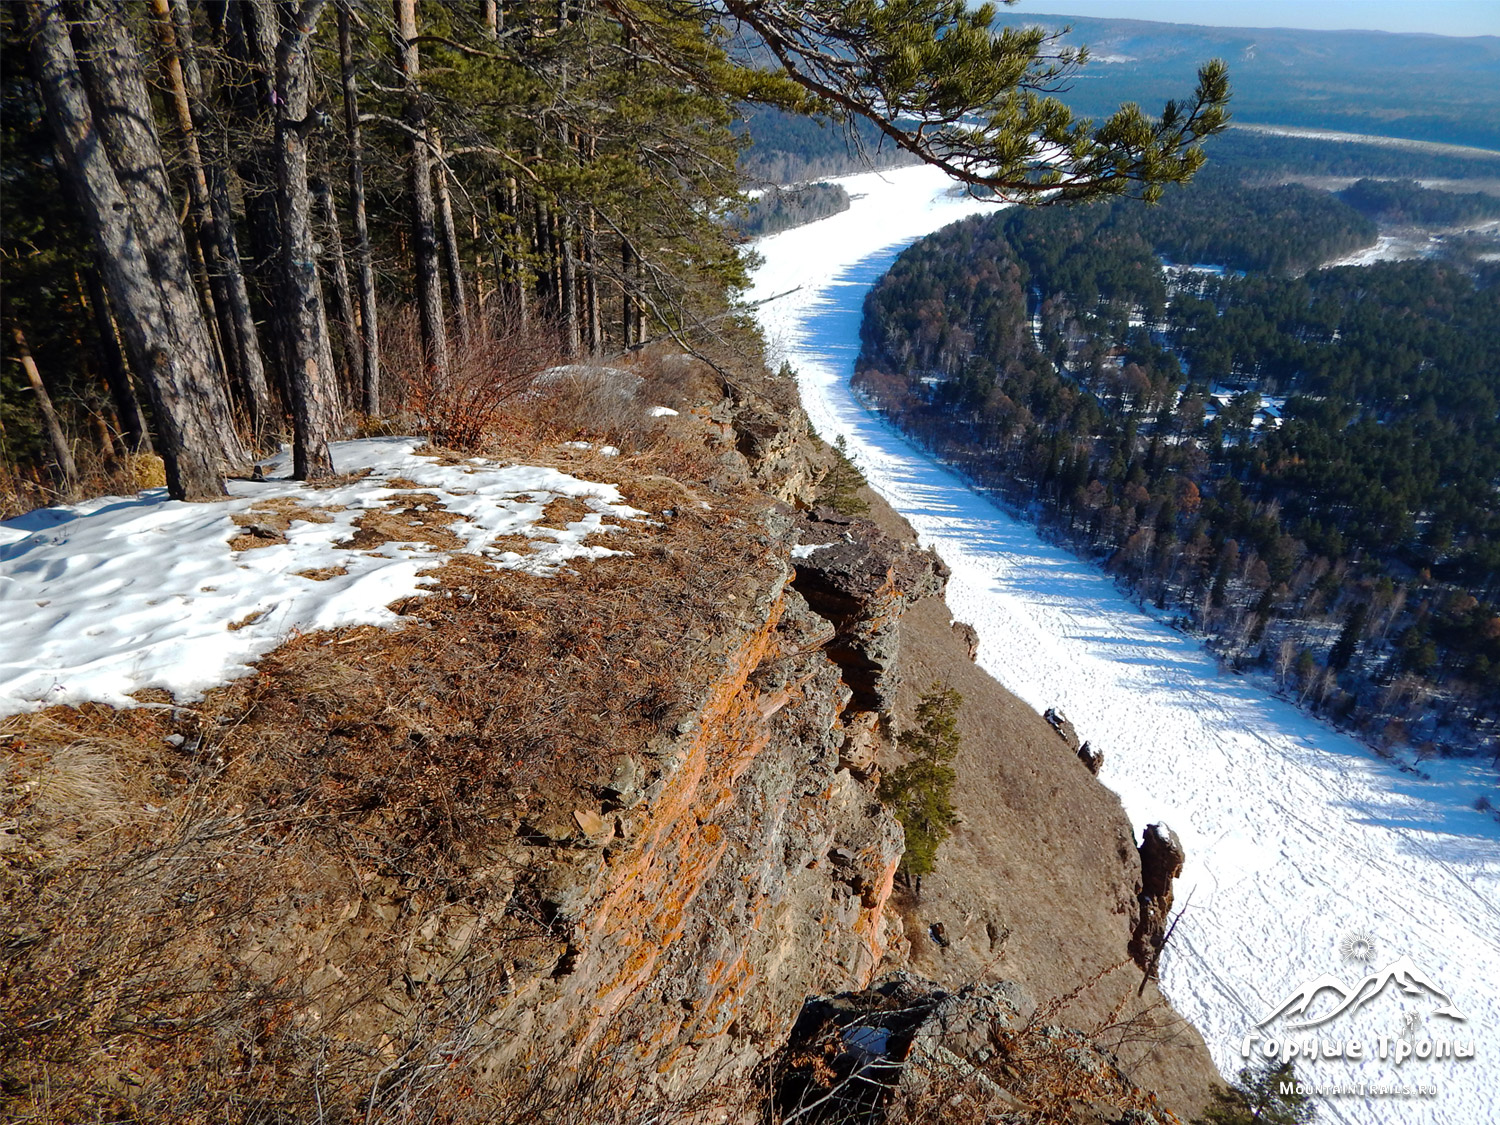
(142, 248)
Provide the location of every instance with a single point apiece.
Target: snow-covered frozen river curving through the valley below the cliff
(1298, 838)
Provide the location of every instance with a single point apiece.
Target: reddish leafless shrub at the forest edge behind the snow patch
(487, 376)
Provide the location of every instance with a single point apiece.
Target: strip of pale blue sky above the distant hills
(1436, 17)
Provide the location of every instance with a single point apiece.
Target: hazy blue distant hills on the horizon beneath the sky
(1417, 86)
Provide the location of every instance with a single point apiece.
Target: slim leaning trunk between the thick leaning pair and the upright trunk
(211, 199)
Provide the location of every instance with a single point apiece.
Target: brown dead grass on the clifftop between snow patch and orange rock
(307, 893)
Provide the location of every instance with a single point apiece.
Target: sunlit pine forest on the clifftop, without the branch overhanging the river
(392, 197)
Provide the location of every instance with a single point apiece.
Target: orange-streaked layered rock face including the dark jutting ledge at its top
(749, 863)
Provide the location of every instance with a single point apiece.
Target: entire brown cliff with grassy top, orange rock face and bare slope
(572, 850)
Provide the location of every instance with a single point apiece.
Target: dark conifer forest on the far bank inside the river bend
(1301, 467)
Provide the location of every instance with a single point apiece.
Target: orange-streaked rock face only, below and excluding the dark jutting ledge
(752, 874)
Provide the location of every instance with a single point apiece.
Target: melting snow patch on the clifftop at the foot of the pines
(125, 593)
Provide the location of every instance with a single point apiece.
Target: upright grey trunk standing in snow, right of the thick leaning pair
(316, 413)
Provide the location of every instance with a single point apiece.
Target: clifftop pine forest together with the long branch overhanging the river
(232, 224)
